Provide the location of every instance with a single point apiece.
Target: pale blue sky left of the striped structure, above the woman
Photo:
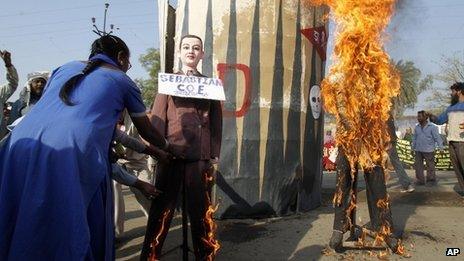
(42, 35)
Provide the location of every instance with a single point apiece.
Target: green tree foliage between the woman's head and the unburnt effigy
(151, 63)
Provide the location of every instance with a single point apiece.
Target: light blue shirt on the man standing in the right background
(426, 138)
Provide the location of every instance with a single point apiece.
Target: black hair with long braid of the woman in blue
(109, 45)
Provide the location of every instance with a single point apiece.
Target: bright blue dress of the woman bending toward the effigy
(55, 194)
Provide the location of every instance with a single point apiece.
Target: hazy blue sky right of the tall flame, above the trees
(424, 31)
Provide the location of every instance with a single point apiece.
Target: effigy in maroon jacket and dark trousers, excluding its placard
(195, 124)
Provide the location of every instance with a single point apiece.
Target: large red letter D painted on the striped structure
(223, 69)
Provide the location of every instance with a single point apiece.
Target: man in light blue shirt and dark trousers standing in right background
(426, 138)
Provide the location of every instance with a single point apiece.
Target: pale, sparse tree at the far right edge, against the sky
(451, 71)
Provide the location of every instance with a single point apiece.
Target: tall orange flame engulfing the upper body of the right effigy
(361, 81)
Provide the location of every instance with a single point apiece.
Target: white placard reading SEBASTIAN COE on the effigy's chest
(191, 86)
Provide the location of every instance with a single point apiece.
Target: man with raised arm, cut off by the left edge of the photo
(6, 90)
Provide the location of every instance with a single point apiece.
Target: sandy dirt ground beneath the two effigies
(430, 221)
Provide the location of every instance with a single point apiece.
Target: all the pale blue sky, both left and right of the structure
(45, 34)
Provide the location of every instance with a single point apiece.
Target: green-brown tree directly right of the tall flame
(411, 86)
